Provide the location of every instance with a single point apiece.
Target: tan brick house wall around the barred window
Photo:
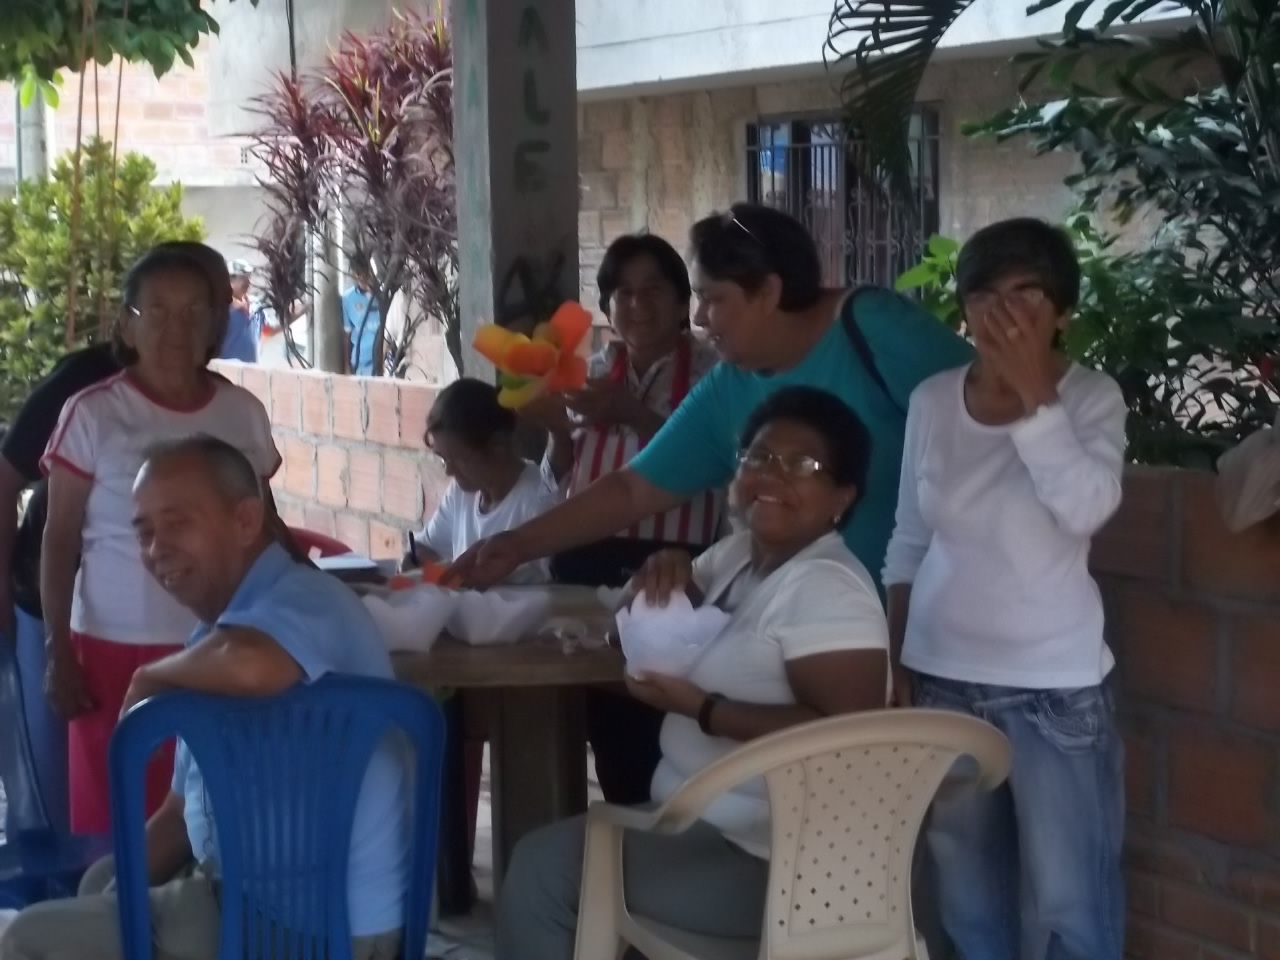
(660, 163)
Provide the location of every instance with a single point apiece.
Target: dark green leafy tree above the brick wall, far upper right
(1195, 152)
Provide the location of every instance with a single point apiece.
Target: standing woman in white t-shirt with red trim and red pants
(104, 614)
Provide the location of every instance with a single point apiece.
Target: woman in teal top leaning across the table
(758, 282)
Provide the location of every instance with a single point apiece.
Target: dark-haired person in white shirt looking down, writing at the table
(492, 488)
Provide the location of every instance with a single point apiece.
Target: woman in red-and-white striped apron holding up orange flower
(636, 383)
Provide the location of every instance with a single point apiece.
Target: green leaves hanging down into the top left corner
(42, 38)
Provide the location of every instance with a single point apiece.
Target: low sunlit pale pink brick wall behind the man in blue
(355, 467)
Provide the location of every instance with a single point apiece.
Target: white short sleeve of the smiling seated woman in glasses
(825, 607)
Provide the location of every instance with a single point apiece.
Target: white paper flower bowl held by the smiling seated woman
(668, 639)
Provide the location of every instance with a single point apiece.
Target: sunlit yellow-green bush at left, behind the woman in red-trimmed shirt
(120, 218)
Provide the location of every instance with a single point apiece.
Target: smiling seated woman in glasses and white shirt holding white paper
(807, 639)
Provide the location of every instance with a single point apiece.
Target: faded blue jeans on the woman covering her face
(1032, 871)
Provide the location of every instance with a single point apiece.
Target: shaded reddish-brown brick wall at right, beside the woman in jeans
(1195, 619)
